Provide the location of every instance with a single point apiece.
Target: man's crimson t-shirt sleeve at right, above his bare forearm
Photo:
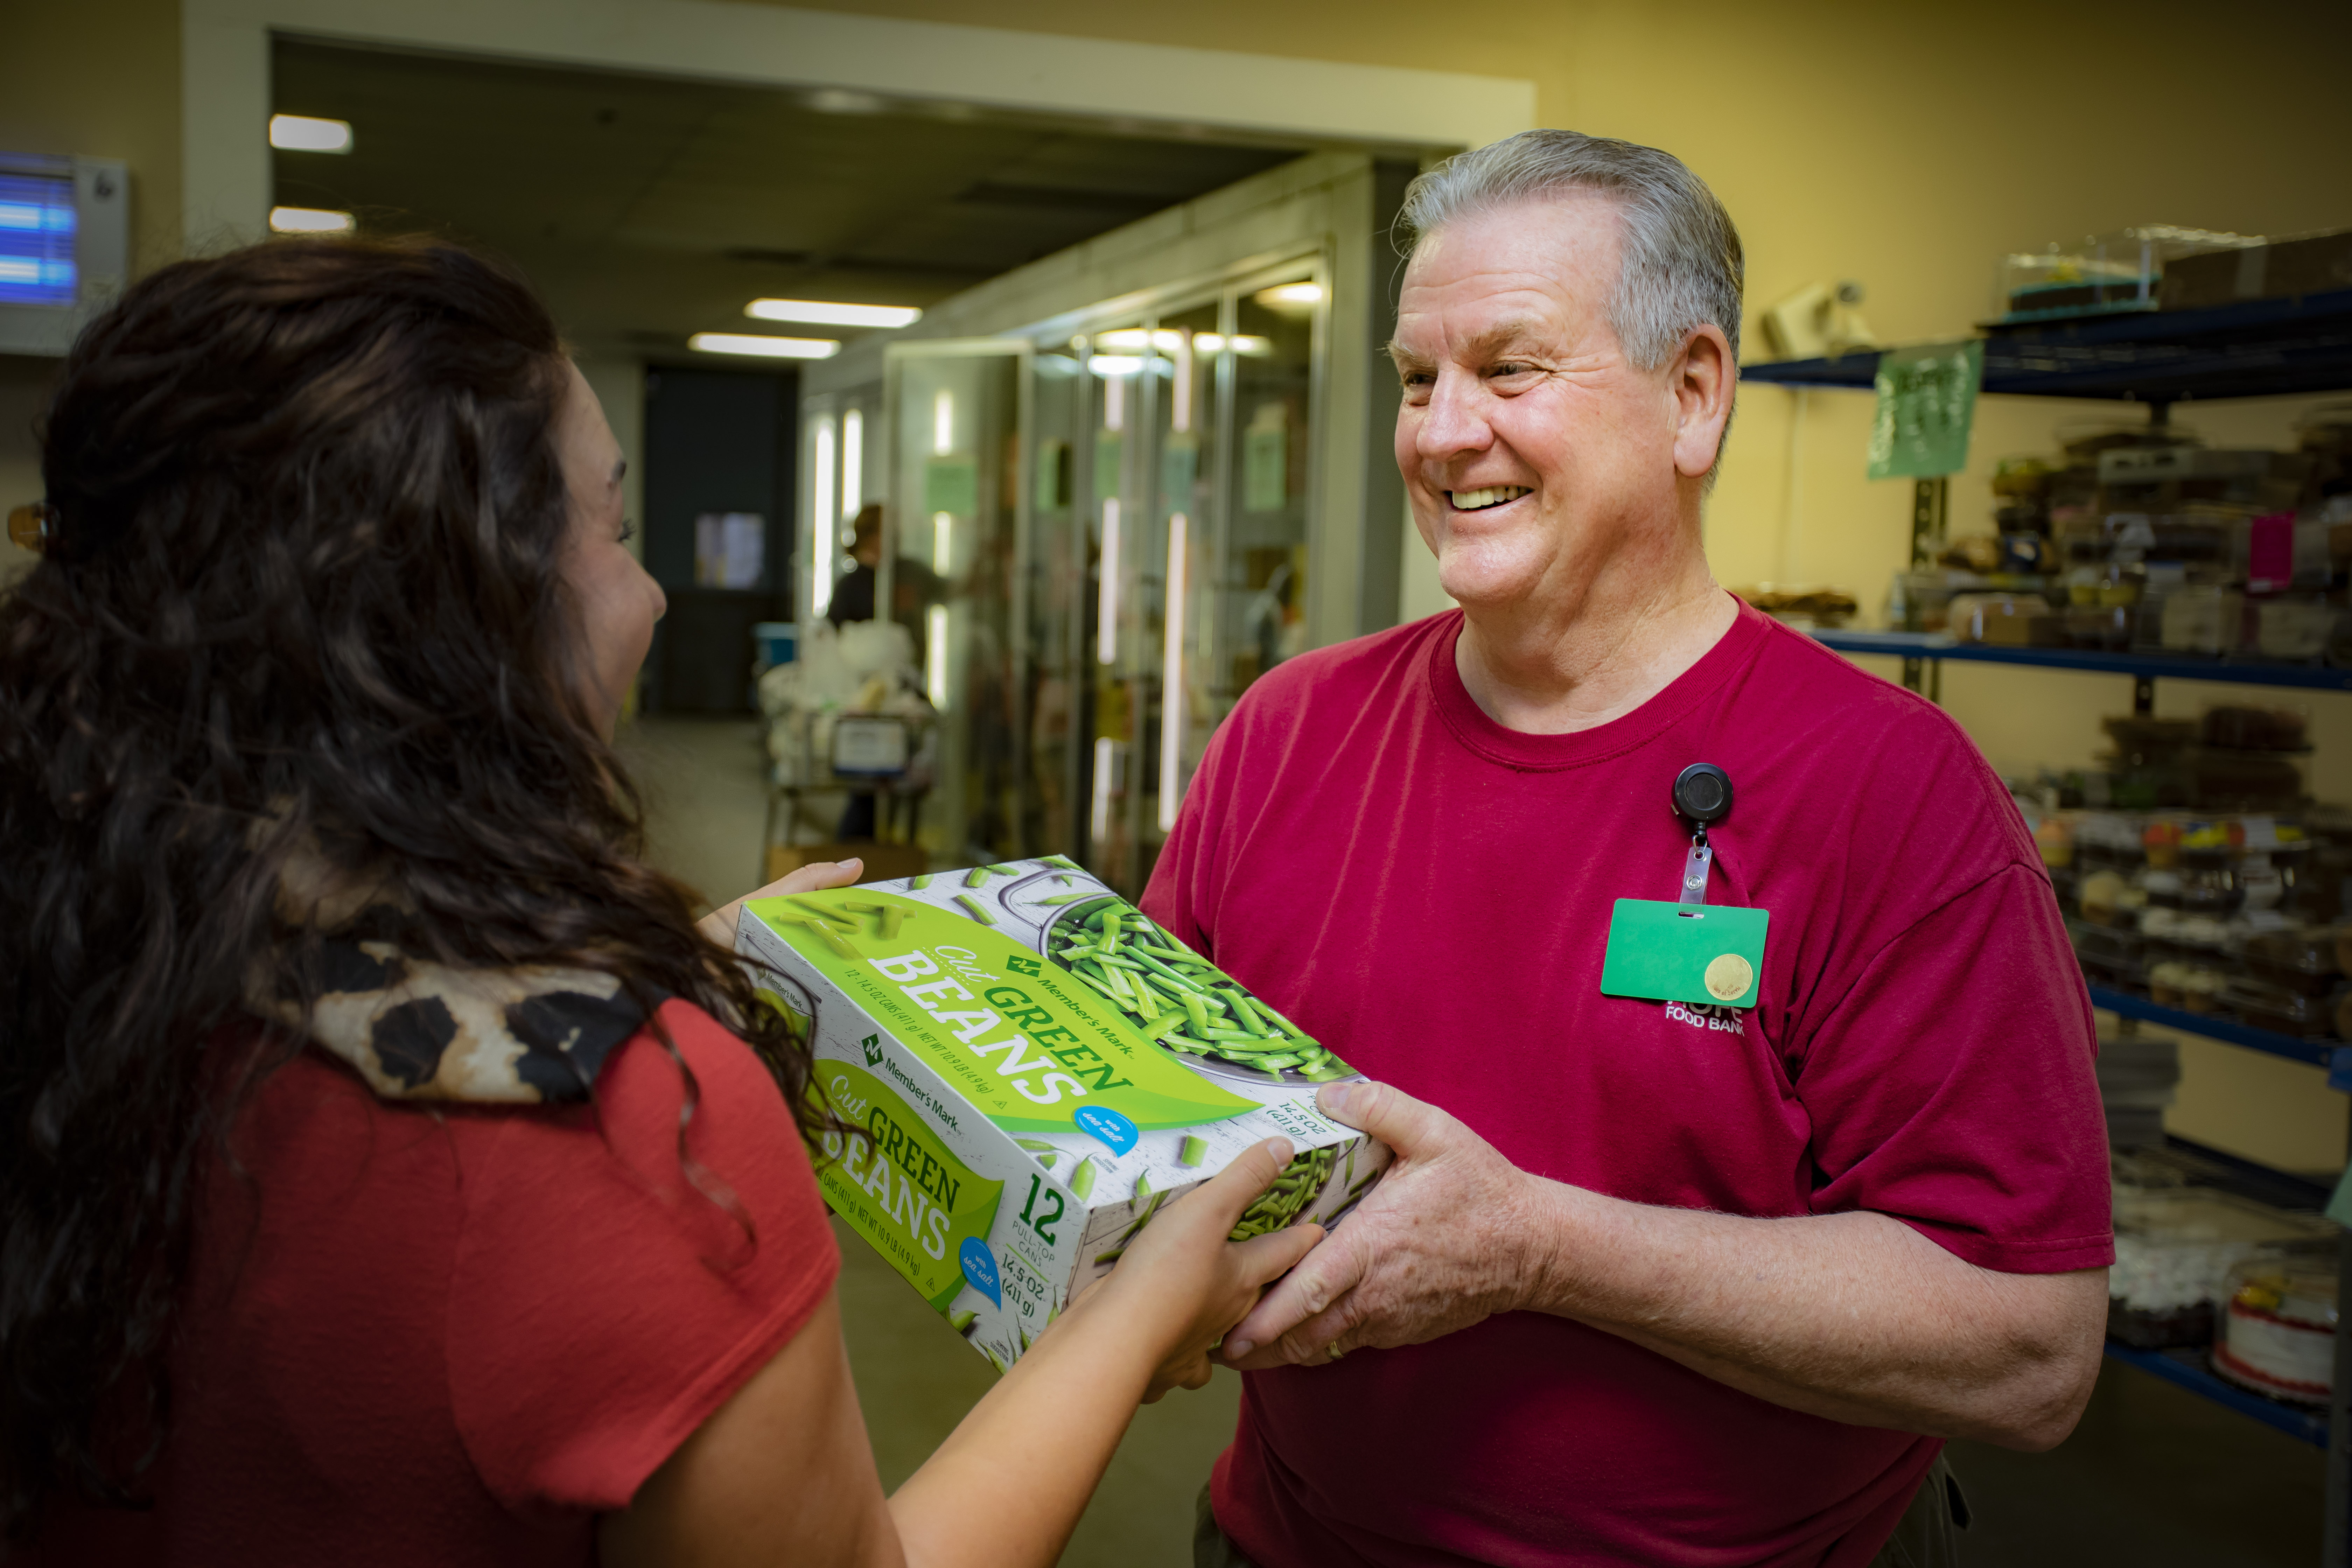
(1953, 1087)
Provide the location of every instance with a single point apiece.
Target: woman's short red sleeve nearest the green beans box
(603, 1306)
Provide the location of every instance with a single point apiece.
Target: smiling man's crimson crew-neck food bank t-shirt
(1431, 894)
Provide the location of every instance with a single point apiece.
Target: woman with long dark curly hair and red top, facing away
(389, 1167)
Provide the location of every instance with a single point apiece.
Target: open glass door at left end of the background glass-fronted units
(954, 544)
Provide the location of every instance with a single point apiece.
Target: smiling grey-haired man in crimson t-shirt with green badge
(1655, 1280)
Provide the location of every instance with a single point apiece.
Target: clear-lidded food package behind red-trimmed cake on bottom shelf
(2174, 1257)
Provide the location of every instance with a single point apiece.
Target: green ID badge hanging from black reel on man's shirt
(1688, 951)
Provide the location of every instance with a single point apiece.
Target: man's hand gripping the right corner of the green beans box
(1434, 1249)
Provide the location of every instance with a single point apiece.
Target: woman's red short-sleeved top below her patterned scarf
(455, 1336)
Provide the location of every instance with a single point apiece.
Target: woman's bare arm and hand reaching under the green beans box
(784, 1470)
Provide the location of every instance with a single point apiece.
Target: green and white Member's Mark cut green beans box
(1034, 1068)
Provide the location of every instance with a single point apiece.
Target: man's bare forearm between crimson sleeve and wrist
(1855, 1318)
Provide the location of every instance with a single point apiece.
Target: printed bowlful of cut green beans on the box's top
(1180, 998)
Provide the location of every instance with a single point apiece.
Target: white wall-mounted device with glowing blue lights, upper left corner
(65, 248)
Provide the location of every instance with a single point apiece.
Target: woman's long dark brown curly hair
(305, 589)
